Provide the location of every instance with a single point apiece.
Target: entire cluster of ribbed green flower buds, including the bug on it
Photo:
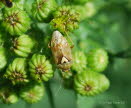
(26, 56)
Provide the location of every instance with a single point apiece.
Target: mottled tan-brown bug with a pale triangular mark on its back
(61, 51)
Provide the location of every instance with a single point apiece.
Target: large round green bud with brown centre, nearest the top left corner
(15, 20)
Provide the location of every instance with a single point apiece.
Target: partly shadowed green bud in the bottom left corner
(8, 96)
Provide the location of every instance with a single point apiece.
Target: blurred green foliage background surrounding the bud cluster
(109, 28)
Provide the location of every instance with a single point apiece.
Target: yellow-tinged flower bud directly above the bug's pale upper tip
(65, 19)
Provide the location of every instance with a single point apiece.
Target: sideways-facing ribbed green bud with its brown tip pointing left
(23, 45)
